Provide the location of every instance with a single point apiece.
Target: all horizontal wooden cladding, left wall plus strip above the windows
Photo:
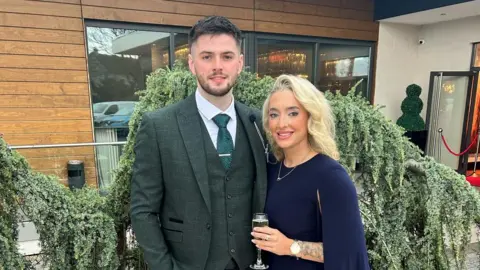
(44, 91)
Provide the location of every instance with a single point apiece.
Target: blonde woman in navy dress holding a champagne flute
(312, 203)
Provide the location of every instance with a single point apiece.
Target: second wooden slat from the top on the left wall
(40, 21)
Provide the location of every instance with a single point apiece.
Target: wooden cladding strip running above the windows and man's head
(349, 19)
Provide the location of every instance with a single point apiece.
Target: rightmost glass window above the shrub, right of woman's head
(340, 67)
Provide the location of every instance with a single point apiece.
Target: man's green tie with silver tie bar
(224, 139)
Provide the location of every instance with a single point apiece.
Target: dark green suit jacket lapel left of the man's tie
(189, 123)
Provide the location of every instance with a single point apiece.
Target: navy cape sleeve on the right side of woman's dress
(343, 234)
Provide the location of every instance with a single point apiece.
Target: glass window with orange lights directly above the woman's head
(277, 57)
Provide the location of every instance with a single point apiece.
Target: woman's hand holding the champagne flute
(271, 240)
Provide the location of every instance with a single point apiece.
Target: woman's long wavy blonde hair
(321, 123)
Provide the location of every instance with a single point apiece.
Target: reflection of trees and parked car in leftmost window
(119, 61)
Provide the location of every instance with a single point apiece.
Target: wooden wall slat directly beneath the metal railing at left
(57, 152)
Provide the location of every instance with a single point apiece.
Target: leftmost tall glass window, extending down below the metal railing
(119, 61)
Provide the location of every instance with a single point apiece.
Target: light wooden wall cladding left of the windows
(44, 93)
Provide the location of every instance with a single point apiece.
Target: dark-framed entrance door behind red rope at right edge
(450, 109)
